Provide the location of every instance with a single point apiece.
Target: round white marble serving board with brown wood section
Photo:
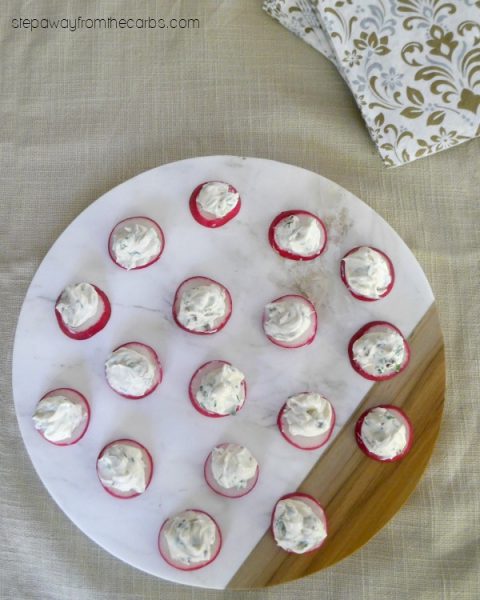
(358, 494)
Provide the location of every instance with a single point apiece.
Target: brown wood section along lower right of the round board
(359, 494)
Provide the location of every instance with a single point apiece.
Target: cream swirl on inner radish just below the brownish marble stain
(287, 320)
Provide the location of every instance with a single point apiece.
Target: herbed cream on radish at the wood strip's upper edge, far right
(379, 353)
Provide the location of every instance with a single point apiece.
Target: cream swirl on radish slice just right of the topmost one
(300, 235)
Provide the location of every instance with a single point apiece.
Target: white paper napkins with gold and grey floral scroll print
(413, 66)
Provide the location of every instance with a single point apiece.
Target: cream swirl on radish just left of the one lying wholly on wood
(308, 414)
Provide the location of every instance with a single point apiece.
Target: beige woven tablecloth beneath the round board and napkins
(82, 112)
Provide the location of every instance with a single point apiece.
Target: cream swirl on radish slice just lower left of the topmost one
(135, 244)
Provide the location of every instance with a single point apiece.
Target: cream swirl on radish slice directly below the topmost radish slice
(202, 307)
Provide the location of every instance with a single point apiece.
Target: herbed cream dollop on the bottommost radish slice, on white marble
(190, 537)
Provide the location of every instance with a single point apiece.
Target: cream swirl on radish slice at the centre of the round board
(221, 391)
